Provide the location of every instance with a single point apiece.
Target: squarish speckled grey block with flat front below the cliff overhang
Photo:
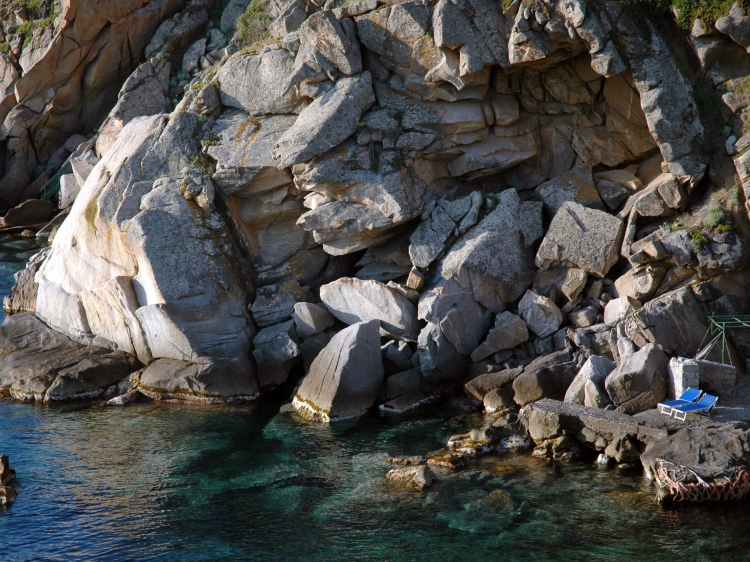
(586, 238)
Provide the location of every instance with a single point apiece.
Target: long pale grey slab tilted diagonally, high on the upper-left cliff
(327, 121)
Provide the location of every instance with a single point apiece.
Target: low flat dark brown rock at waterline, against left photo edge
(38, 363)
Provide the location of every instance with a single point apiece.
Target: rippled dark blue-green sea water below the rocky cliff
(167, 482)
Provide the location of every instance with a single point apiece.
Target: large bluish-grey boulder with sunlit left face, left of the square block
(493, 261)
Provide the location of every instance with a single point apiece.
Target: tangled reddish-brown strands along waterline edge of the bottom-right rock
(734, 486)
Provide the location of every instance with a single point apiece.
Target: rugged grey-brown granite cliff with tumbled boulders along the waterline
(381, 203)
